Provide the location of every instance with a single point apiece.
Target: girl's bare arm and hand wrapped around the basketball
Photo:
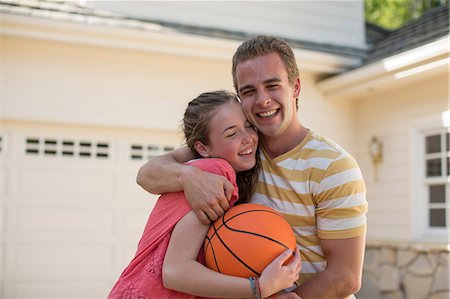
(181, 271)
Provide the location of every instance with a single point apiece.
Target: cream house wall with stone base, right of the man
(401, 260)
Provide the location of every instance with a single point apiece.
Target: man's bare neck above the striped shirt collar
(276, 146)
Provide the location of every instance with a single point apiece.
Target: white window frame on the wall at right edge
(434, 125)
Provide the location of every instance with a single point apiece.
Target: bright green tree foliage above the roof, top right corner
(392, 14)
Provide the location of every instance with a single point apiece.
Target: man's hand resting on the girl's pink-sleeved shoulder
(208, 194)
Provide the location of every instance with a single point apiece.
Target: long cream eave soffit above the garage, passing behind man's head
(155, 39)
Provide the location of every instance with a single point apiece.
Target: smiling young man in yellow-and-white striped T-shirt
(312, 181)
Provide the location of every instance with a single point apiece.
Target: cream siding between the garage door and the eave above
(60, 82)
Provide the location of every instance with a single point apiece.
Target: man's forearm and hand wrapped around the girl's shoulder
(206, 193)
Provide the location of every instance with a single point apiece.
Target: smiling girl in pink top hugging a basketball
(169, 258)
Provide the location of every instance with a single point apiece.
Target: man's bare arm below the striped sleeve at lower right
(342, 276)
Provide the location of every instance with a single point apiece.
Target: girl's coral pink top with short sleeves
(143, 276)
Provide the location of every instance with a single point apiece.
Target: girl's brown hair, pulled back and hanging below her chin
(196, 127)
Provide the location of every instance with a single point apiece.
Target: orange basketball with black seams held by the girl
(246, 239)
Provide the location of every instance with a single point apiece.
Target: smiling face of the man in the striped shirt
(268, 99)
